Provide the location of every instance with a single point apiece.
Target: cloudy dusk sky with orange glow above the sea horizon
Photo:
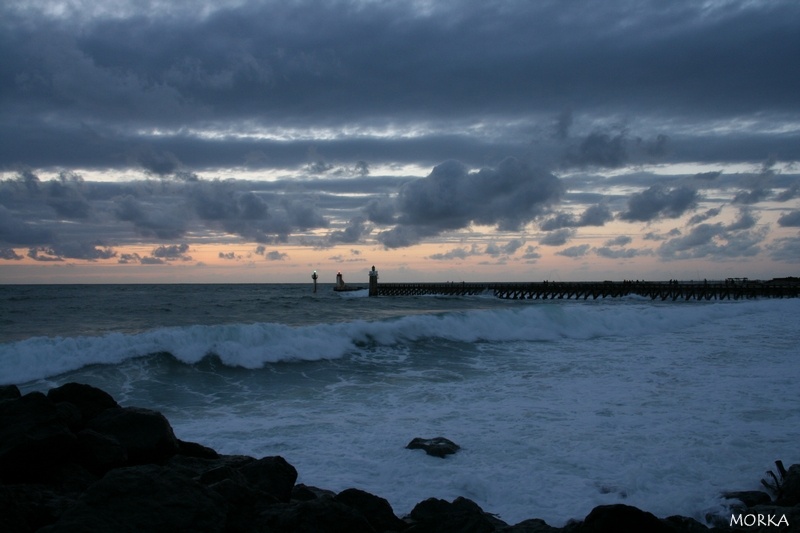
(162, 141)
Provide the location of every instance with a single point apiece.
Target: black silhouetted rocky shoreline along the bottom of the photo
(74, 460)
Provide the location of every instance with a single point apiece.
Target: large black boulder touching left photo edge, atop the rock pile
(33, 438)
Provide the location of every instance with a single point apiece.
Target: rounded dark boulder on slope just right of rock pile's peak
(146, 435)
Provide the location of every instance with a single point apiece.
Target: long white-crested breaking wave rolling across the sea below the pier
(253, 346)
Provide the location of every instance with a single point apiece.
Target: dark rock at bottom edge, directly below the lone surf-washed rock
(461, 516)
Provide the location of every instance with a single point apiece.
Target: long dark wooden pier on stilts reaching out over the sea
(557, 290)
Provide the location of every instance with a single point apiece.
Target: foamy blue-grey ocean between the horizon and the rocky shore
(558, 405)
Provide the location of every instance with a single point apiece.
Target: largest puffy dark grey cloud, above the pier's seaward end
(452, 197)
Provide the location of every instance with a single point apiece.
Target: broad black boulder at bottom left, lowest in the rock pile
(144, 498)
